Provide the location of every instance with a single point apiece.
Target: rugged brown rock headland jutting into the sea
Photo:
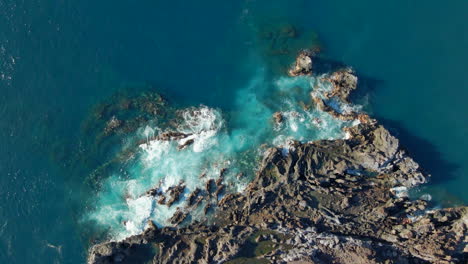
(327, 201)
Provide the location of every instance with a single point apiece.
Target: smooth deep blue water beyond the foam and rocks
(58, 59)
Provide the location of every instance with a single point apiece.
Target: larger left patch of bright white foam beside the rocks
(161, 164)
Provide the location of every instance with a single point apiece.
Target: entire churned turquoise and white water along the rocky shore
(212, 145)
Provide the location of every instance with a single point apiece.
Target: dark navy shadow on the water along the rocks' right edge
(422, 151)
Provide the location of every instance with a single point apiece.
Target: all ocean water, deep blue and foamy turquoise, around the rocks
(58, 60)
